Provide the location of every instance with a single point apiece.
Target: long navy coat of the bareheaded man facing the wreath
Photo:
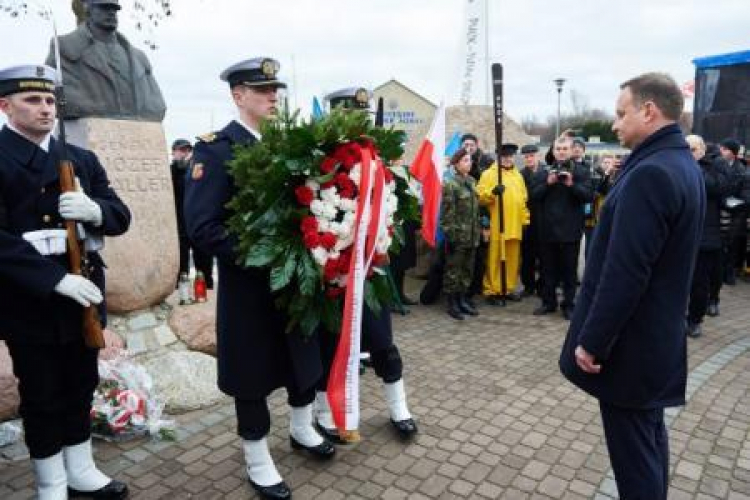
(630, 313)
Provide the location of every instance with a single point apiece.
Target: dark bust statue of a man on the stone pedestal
(104, 75)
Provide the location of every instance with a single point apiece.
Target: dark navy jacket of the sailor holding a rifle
(30, 310)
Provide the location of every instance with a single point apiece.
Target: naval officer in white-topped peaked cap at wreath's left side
(255, 354)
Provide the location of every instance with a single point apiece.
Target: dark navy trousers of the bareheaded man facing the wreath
(639, 451)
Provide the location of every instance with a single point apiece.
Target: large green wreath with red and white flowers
(296, 205)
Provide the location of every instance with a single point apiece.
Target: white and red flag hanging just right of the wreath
(427, 168)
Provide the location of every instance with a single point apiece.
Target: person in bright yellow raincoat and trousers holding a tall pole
(516, 215)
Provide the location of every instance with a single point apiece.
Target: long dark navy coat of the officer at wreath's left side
(255, 355)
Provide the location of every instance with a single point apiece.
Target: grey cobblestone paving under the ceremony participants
(496, 421)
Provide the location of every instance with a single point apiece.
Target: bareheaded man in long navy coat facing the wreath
(626, 343)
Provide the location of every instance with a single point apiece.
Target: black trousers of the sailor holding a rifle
(56, 384)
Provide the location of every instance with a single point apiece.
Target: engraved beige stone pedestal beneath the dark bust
(143, 263)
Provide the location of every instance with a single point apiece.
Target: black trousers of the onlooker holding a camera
(559, 265)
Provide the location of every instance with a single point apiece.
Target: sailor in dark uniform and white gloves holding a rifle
(41, 303)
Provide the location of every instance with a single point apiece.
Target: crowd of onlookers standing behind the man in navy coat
(531, 245)
